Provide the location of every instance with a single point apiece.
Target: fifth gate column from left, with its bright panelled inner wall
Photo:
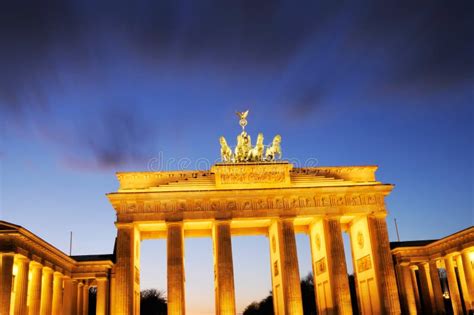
(329, 261)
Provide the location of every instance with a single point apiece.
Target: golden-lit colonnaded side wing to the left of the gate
(37, 278)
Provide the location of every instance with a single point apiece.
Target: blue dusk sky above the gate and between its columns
(87, 89)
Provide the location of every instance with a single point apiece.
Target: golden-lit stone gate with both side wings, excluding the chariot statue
(268, 198)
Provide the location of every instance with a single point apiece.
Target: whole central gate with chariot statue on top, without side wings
(253, 192)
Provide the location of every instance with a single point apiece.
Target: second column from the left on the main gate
(175, 251)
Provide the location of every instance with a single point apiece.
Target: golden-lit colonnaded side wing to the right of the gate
(419, 265)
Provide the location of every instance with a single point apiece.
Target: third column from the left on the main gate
(223, 268)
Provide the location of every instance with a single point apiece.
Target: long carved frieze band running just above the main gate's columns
(276, 202)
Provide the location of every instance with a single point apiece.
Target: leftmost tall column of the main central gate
(126, 274)
